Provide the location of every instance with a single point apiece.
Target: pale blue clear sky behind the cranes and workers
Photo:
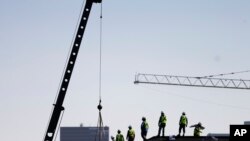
(181, 37)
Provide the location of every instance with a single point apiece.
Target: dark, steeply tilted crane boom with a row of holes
(58, 106)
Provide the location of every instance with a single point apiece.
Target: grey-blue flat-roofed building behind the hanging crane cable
(83, 134)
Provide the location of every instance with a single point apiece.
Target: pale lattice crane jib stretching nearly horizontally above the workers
(192, 81)
